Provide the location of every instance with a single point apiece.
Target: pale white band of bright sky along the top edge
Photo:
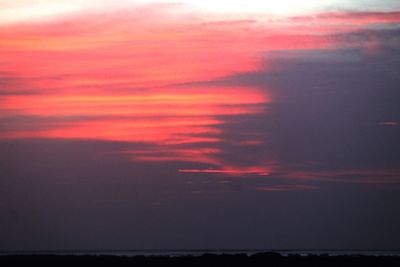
(46, 10)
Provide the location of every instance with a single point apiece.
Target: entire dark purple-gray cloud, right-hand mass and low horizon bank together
(327, 117)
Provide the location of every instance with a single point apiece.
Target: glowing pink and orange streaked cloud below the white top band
(126, 77)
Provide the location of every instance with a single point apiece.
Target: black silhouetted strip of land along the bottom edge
(259, 259)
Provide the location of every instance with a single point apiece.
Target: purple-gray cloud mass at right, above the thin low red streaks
(331, 111)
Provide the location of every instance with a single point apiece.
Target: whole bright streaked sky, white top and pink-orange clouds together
(135, 73)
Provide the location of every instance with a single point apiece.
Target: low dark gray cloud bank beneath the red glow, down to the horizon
(79, 195)
